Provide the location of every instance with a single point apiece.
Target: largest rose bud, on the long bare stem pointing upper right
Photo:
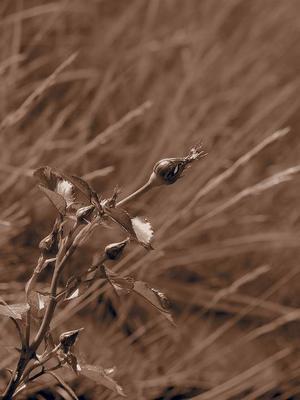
(169, 170)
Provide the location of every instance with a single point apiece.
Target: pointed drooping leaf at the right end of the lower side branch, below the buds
(154, 297)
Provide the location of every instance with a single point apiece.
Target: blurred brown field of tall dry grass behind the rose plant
(150, 79)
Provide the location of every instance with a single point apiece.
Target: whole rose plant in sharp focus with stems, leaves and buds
(80, 210)
